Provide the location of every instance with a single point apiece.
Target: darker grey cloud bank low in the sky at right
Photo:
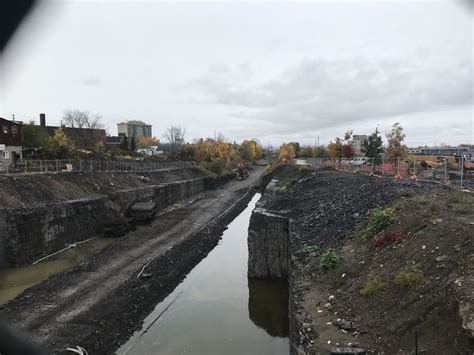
(323, 93)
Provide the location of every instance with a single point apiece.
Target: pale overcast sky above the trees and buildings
(275, 71)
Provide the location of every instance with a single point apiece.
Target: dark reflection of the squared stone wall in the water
(268, 305)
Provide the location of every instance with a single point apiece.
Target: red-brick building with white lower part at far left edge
(11, 141)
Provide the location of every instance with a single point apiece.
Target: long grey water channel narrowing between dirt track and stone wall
(216, 309)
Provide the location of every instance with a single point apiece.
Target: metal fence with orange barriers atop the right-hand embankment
(444, 171)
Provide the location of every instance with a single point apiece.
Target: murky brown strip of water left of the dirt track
(15, 280)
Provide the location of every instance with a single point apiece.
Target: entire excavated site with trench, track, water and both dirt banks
(106, 261)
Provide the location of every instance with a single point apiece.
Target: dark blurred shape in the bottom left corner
(13, 342)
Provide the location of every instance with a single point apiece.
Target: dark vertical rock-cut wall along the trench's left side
(29, 233)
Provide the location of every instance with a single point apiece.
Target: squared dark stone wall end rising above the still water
(267, 245)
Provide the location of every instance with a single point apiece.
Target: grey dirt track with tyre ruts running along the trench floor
(99, 304)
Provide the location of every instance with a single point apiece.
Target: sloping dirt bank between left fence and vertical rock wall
(42, 189)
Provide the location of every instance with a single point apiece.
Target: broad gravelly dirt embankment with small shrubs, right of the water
(421, 270)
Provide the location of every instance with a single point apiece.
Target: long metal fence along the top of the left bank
(71, 165)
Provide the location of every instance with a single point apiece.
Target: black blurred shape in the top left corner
(13, 12)
